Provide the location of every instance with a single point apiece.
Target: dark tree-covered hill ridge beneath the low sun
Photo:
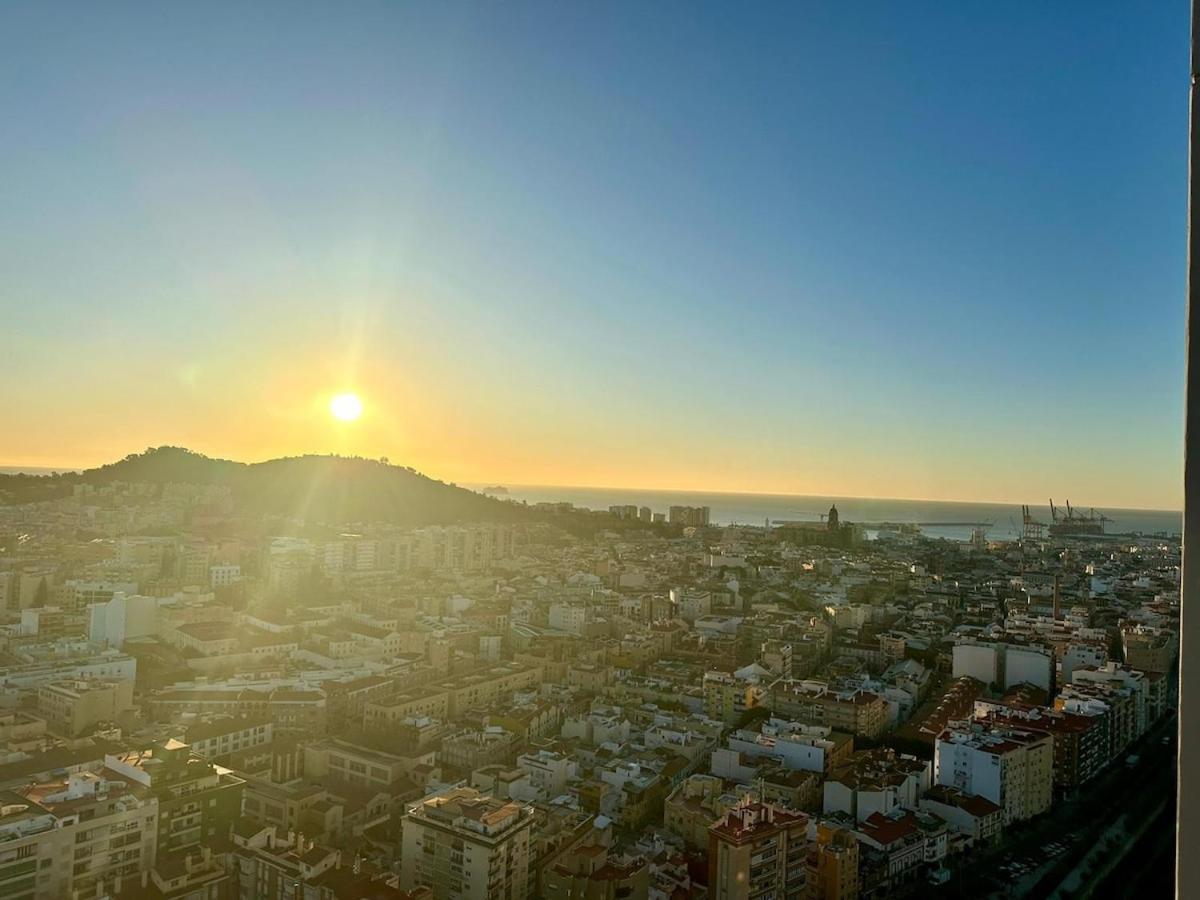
(319, 489)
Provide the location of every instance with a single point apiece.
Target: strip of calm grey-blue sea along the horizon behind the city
(956, 520)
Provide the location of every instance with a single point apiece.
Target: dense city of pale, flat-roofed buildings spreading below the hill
(203, 700)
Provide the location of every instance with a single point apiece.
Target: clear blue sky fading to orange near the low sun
(903, 250)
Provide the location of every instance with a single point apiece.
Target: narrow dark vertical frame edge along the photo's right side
(1187, 874)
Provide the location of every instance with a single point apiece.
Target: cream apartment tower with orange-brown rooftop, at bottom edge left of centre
(465, 845)
